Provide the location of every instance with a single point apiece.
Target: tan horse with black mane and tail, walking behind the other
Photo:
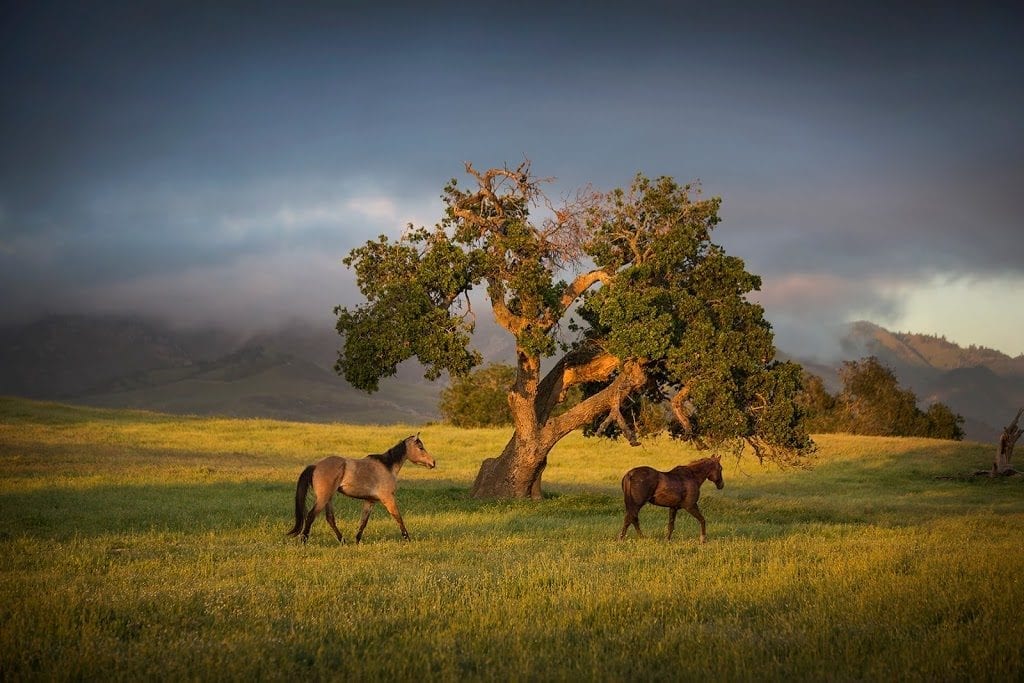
(371, 480)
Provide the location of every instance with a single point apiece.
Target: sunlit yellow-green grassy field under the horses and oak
(142, 546)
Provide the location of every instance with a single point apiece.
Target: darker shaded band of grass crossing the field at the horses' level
(888, 492)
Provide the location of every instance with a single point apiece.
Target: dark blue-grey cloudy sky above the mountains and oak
(217, 161)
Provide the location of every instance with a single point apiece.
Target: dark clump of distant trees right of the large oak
(872, 402)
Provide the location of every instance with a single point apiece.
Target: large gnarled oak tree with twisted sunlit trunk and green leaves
(655, 309)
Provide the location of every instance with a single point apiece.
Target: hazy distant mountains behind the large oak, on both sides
(288, 373)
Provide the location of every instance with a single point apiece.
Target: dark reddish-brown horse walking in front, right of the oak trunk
(679, 488)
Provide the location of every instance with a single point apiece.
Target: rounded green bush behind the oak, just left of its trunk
(481, 399)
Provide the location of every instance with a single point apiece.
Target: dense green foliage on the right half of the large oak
(679, 306)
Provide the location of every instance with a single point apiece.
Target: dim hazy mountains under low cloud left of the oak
(132, 362)
